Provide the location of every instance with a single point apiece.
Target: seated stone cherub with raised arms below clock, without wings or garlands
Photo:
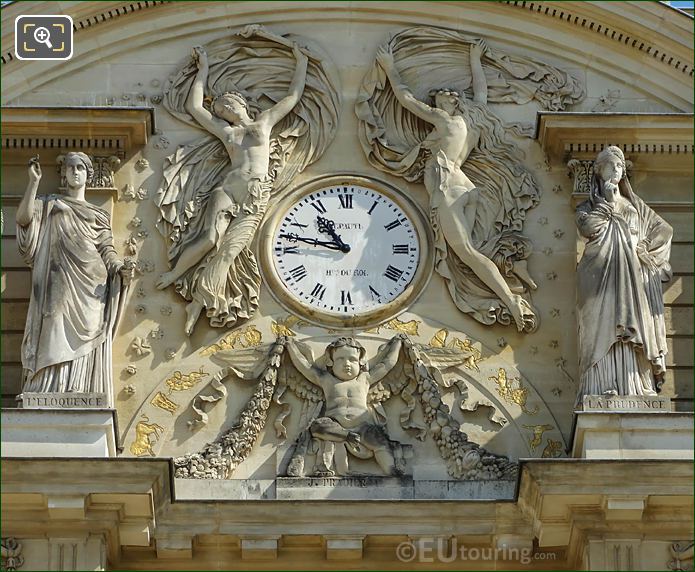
(346, 379)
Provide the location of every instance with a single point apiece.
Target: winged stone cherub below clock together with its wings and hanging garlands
(342, 395)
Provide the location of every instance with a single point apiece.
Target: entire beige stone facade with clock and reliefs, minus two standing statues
(226, 139)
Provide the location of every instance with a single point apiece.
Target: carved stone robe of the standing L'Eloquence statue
(75, 298)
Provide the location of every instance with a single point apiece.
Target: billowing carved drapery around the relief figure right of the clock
(395, 141)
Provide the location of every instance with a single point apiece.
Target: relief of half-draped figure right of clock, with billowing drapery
(417, 121)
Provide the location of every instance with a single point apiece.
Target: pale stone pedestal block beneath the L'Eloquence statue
(58, 433)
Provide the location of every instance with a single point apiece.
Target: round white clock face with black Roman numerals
(345, 249)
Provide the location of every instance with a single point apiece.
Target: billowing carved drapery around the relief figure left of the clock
(260, 66)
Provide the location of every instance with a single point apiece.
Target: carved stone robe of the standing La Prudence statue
(622, 333)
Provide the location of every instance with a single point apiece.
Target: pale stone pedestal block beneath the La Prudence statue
(633, 435)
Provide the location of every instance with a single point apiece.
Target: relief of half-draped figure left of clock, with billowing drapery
(250, 94)
